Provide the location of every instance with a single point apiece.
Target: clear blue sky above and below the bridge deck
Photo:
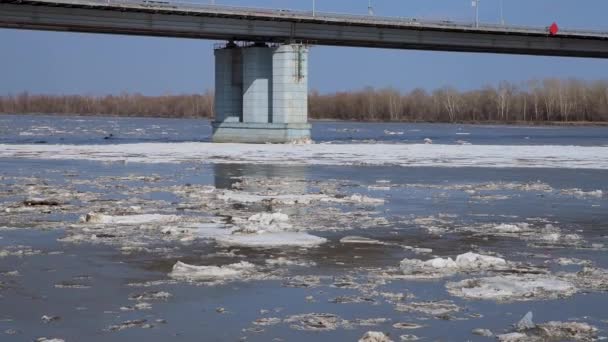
(70, 63)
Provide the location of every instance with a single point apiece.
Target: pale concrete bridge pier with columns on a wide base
(261, 93)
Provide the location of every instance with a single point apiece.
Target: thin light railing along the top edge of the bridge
(327, 16)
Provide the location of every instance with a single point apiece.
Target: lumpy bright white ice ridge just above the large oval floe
(439, 267)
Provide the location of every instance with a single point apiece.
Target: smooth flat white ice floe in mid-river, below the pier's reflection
(271, 240)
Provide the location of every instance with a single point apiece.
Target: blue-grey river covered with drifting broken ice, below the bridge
(320, 242)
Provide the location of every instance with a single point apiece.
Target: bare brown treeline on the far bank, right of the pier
(536, 101)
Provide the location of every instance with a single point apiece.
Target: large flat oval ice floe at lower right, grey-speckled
(512, 288)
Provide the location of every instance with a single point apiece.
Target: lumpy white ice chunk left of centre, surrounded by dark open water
(185, 272)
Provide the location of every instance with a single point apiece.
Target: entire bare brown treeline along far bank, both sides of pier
(536, 101)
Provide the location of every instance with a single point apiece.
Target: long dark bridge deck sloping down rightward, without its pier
(188, 20)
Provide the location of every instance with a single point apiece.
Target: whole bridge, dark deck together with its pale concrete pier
(261, 73)
